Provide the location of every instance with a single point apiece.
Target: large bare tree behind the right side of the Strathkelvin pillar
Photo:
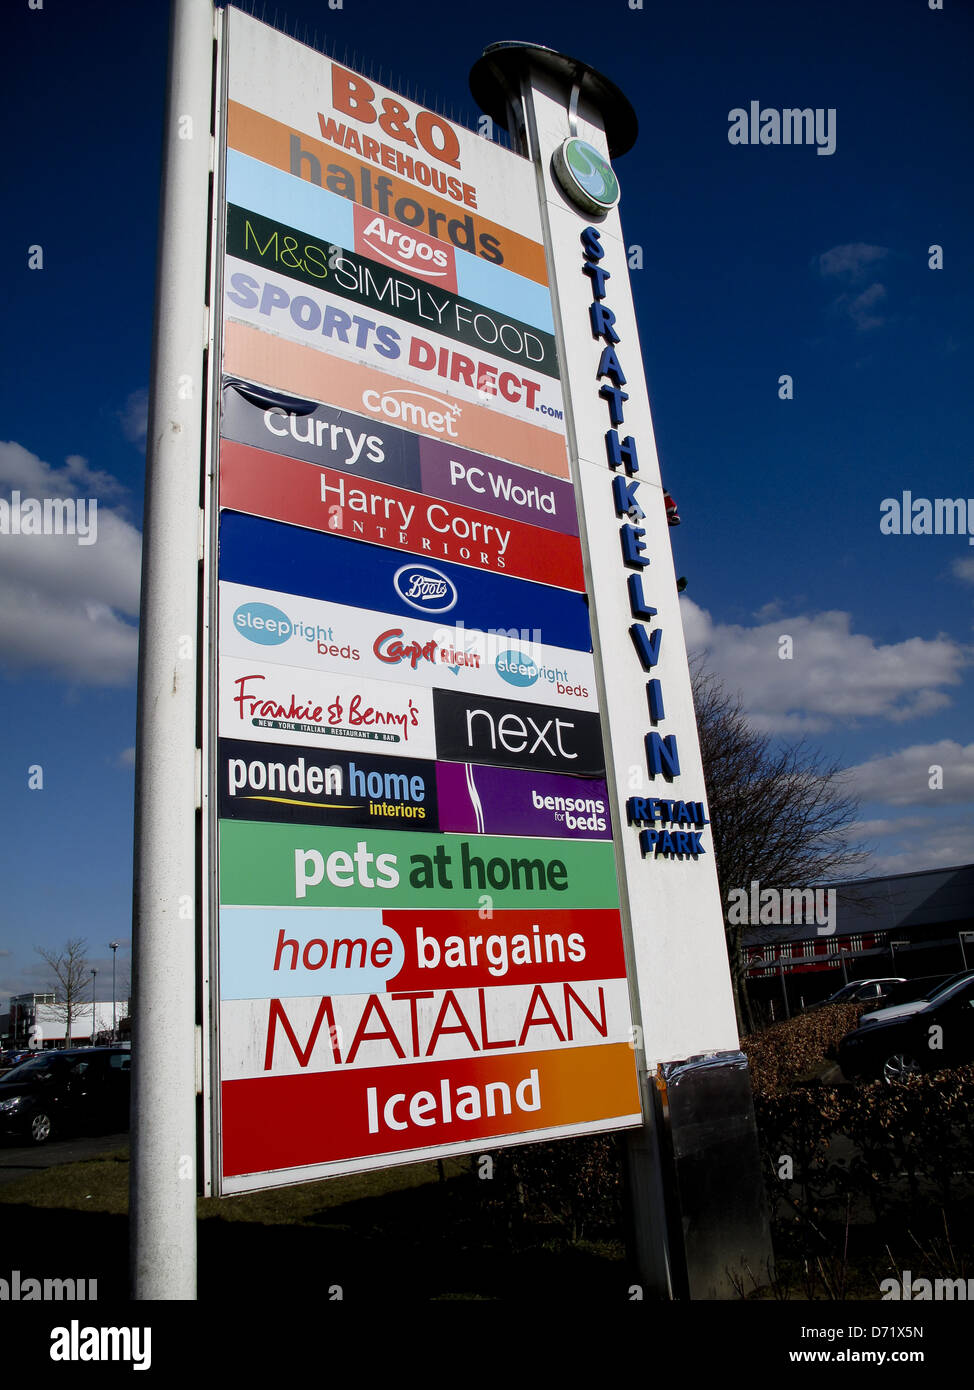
(779, 812)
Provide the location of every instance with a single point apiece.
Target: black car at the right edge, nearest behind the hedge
(915, 1038)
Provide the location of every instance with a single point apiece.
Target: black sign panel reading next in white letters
(505, 733)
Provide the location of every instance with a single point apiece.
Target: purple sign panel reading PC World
(501, 489)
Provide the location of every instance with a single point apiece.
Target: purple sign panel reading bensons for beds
(508, 801)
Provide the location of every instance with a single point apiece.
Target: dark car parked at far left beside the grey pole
(69, 1092)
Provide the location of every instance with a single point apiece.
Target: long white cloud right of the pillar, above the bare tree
(836, 676)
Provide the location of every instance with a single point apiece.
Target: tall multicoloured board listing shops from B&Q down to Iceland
(418, 945)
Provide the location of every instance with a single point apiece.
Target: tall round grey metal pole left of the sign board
(163, 1175)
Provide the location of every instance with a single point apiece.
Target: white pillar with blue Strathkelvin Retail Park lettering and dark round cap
(704, 1172)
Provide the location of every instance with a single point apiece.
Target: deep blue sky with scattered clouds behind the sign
(758, 262)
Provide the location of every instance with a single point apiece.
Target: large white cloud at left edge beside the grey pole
(69, 608)
